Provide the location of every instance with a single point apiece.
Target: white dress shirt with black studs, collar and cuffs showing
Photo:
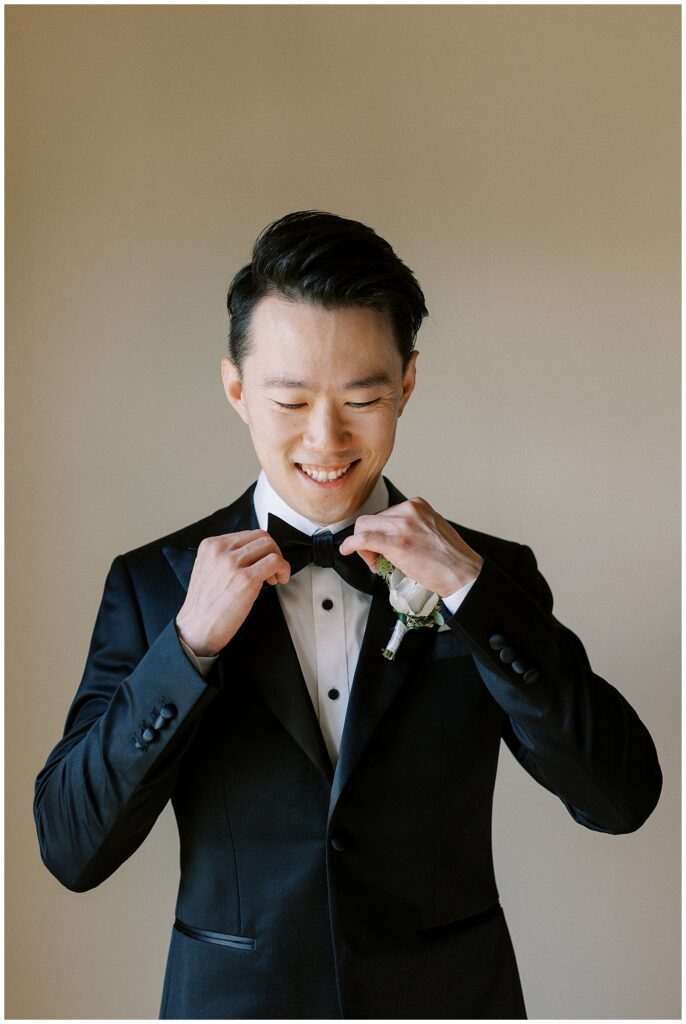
(325, 615)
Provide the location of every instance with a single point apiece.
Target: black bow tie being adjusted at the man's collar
(321, 549)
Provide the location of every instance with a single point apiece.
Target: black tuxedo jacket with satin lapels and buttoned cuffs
(368, 891)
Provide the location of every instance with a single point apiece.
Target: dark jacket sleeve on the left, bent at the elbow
(105, 784)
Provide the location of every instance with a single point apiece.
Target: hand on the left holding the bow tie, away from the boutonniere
(228, 577)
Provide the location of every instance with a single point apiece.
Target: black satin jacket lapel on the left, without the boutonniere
(264, 649)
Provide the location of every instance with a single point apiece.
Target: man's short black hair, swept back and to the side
(312, 257)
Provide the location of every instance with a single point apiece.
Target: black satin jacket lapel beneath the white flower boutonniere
(375, 685)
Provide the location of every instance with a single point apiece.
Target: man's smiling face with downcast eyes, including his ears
(322, 394)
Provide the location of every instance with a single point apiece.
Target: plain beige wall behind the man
(525, 162)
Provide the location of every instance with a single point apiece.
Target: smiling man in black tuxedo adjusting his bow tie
(334, 806)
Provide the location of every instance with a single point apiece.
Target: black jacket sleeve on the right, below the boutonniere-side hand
(571, 730)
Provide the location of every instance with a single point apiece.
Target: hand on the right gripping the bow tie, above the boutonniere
(420, 543)
